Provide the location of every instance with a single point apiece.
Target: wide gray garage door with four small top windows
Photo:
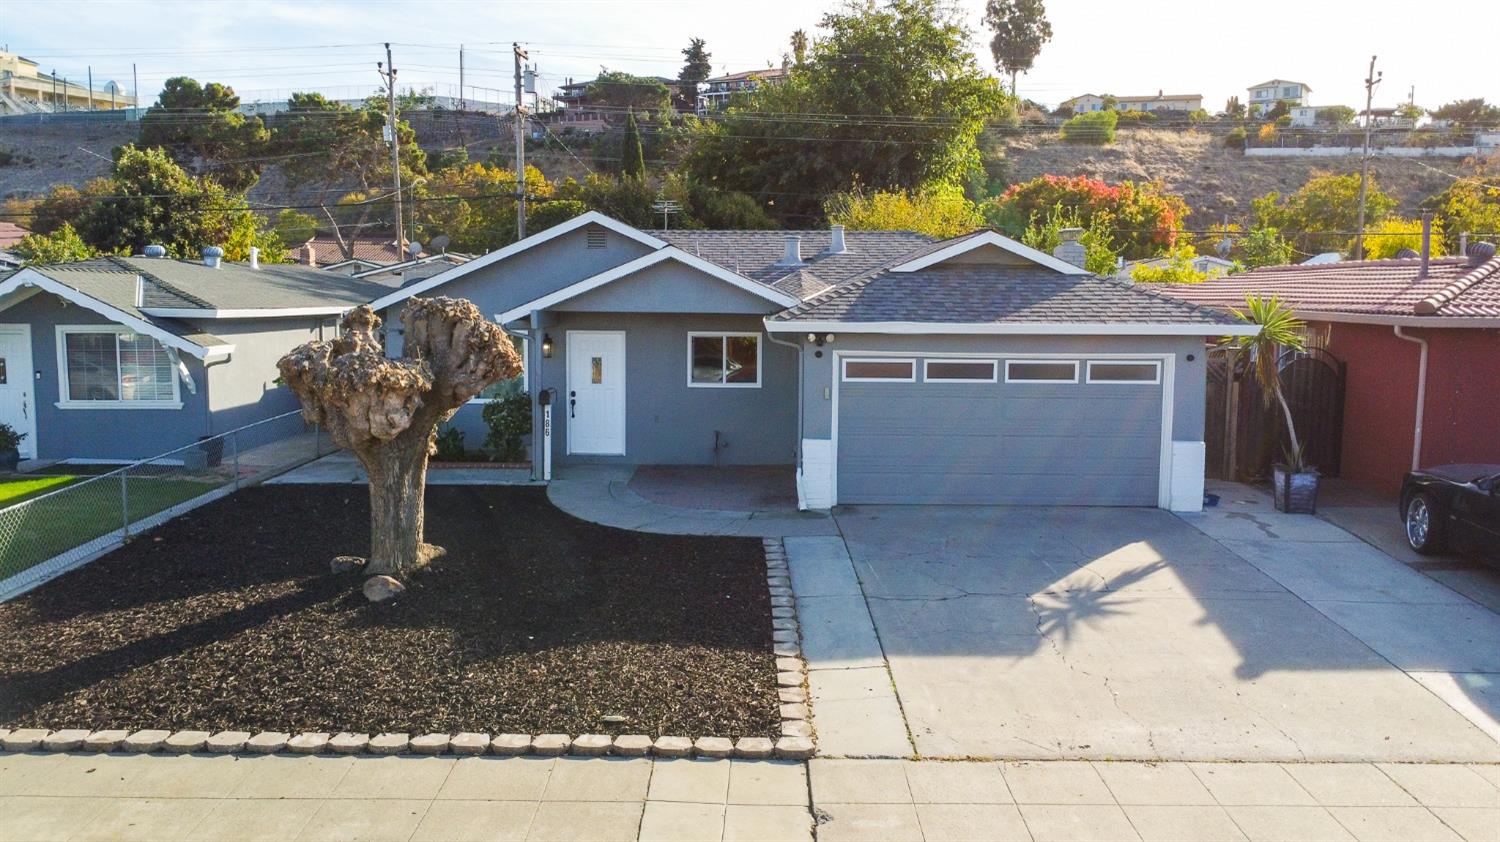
(935, 433)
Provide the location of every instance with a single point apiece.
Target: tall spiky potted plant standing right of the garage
(1294, 481)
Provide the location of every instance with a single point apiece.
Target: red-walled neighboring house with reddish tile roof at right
(1403, 332)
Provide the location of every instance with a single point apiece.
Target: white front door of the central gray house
(596, 392)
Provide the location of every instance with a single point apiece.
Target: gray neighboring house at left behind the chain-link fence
(127, 358)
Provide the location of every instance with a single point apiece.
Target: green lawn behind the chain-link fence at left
(44, 529)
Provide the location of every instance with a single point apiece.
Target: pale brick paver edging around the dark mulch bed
(796, 742)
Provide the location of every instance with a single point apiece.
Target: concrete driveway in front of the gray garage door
(1135, 634)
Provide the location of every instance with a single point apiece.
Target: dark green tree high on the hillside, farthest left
(203, 131)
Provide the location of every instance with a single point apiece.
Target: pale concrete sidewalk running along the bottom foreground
(409, 799)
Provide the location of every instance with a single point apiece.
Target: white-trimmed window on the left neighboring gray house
(115, 368)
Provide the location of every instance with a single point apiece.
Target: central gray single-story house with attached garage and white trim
(883, 365)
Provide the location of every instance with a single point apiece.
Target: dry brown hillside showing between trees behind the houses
(1214, 181)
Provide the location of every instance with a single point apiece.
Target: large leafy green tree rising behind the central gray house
(890, 100)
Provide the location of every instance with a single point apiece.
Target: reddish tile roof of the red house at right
(1453, 289)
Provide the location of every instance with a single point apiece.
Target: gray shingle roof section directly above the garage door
(980, 295)
